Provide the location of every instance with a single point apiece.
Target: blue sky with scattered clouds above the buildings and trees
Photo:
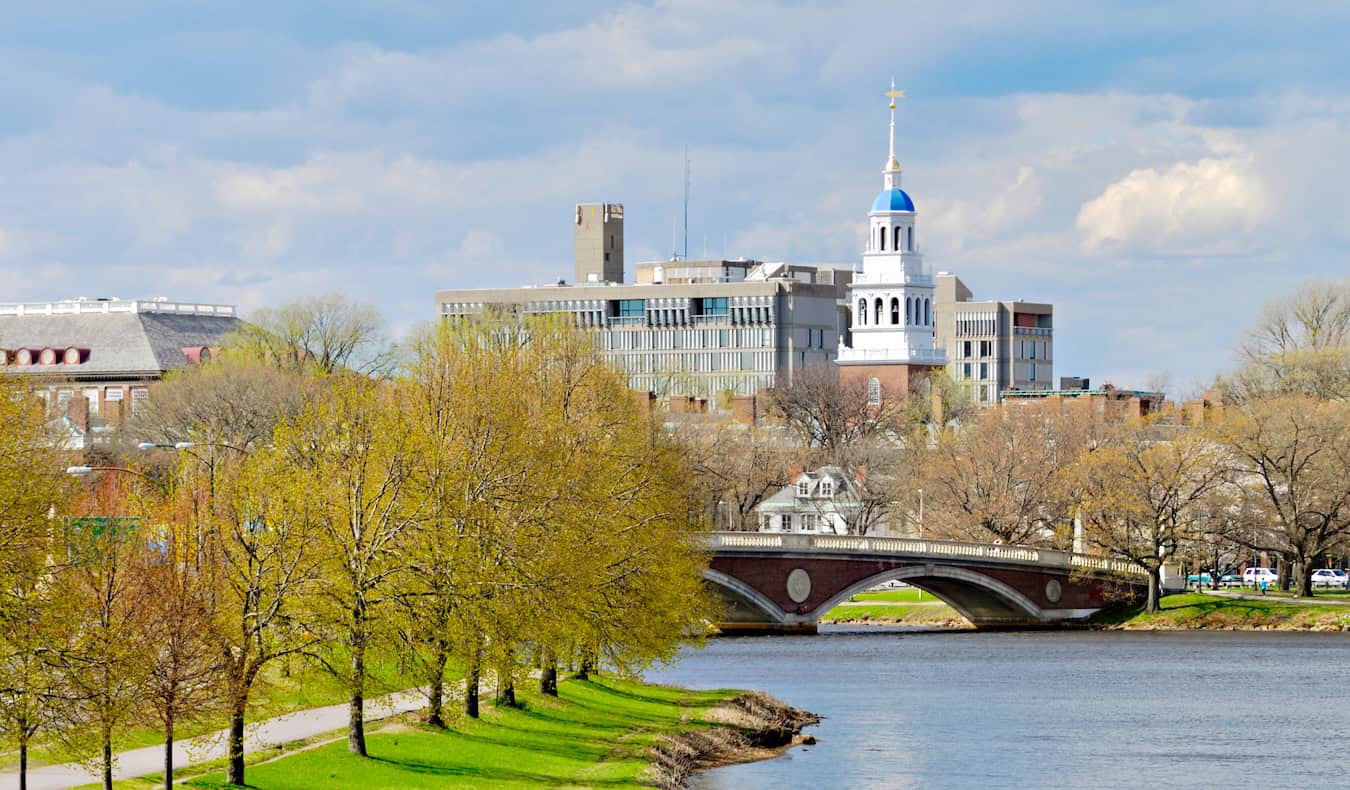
(1155, 169)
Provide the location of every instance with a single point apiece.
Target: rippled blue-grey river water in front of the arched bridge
(1044, 710)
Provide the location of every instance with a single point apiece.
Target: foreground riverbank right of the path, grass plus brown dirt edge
(604, 731)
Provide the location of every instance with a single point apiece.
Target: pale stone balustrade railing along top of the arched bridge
(919, 548)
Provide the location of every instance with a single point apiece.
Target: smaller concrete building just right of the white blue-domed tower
(994, 346)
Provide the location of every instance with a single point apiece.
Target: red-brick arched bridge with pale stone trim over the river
(788, 581)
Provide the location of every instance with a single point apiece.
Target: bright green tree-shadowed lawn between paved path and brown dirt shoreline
(595, 735)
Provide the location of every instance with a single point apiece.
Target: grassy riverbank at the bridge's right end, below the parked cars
(1221, 612)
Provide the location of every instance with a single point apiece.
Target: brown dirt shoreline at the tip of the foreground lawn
(751, 727)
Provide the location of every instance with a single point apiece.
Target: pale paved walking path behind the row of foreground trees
(267, 734)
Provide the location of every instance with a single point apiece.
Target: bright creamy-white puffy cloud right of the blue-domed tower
(1210, 206)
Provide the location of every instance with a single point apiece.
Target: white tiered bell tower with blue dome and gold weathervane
(892, 302)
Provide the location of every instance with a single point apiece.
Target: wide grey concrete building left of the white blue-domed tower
(703, 329)
